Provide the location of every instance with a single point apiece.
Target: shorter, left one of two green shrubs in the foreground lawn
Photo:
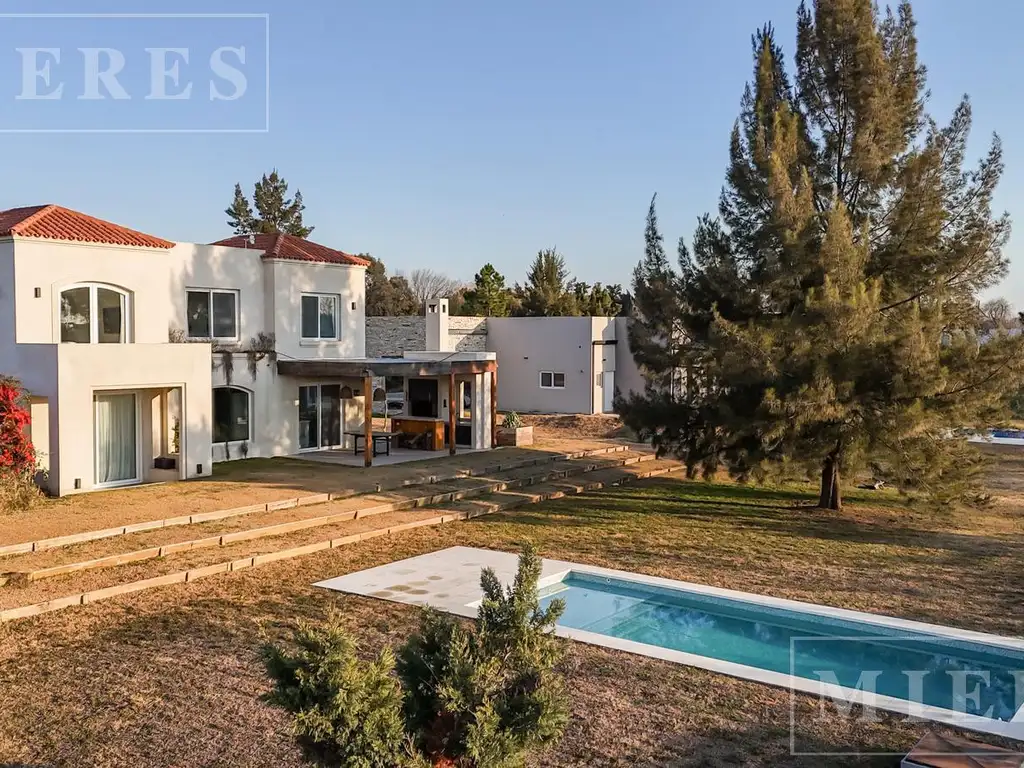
(346, 711)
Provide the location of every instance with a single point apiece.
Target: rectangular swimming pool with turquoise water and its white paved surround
(945, 674)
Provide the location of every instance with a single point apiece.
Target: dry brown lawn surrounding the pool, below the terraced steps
(172, 677)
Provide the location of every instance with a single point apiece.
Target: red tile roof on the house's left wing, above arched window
(55, 223)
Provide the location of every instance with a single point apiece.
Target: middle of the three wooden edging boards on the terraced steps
(290, 528)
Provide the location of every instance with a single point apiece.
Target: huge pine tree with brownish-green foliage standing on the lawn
(830, 317)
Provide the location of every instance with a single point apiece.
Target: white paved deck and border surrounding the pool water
(450, 581)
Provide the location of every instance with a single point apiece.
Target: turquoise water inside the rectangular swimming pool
(759, 636)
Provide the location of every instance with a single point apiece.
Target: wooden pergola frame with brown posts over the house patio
(368, 370)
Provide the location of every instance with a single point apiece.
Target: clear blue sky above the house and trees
(448, 134)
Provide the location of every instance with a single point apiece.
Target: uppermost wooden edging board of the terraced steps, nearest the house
(303, 501)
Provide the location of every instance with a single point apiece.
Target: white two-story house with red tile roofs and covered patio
(147, 360)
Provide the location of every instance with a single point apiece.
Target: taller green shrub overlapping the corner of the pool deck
(484, 698)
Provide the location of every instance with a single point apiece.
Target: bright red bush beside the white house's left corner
(18, 457)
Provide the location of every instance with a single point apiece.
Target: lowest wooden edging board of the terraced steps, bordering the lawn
(184, 577)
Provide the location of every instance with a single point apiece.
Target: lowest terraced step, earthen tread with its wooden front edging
(41, 598)
